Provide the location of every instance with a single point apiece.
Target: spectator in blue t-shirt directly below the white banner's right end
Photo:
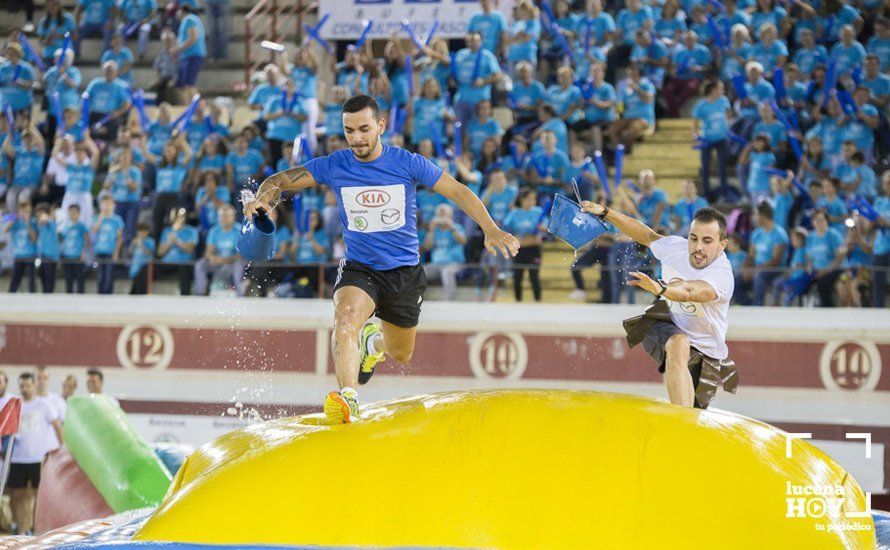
(473, 85)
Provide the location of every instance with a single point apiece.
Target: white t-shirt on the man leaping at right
(704, 324)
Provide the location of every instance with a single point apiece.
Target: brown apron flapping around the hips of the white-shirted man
(707, 372)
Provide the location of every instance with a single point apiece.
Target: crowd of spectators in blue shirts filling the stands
(794, 96)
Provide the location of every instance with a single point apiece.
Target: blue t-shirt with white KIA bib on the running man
(377, 199)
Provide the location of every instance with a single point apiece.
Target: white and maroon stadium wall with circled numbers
(189, 369)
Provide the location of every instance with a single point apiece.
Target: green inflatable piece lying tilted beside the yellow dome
(122, 467)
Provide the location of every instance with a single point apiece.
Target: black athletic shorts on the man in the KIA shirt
(397, 293)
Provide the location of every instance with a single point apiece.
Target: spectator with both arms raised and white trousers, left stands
(80, 172)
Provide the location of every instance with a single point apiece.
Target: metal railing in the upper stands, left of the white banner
(278, 21)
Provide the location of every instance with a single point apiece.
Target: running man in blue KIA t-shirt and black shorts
(375, 187)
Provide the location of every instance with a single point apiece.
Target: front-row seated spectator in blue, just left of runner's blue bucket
(221, 260)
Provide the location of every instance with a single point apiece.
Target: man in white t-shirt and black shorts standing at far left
(38, 425)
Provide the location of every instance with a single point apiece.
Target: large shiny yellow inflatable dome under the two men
(515, 469)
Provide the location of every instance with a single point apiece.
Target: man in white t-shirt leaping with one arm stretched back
(685, 331)
